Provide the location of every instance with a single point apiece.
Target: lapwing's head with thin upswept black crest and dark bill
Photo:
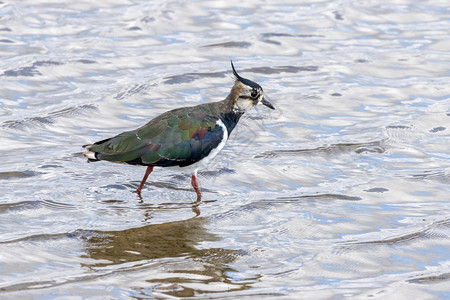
(246, 93)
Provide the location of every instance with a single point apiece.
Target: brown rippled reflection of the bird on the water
(131, 249)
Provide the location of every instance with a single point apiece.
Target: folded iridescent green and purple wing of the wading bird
(176, 138)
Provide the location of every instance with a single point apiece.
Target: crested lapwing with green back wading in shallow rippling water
(185, 138)
